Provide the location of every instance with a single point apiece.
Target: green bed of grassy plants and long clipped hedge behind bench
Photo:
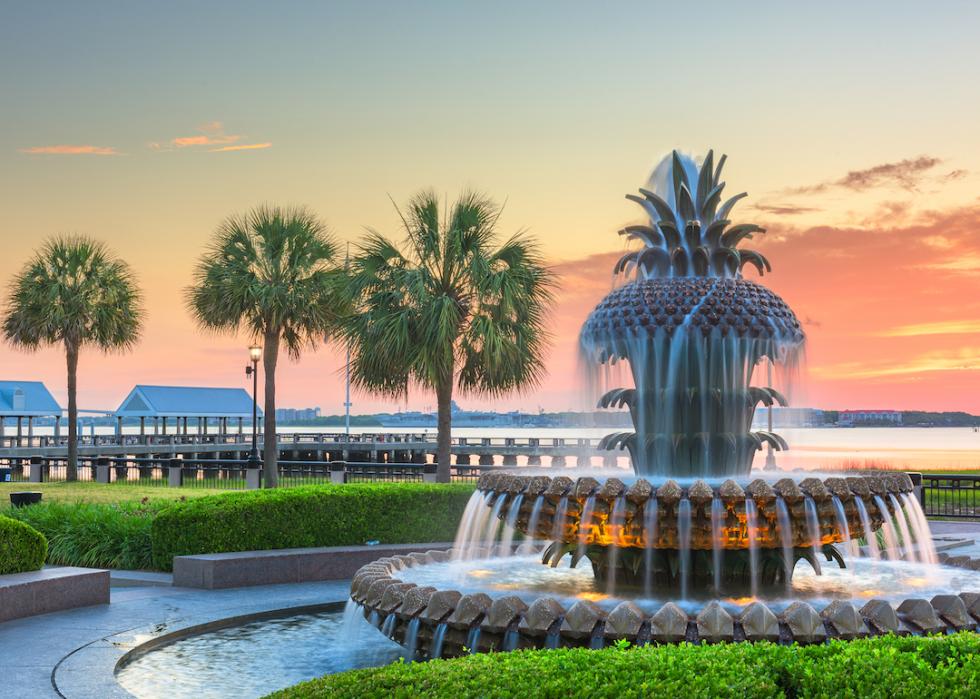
(146, 534)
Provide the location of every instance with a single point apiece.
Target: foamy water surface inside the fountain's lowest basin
(863, 579)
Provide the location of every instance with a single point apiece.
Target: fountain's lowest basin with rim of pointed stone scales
(435, 622)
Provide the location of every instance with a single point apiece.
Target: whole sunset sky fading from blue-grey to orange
(852, 127)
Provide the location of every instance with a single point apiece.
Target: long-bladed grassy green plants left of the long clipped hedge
(95, 535)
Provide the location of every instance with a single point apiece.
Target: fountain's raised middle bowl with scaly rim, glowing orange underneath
(781, 515)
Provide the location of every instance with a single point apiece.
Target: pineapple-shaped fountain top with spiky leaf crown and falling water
(692, 329)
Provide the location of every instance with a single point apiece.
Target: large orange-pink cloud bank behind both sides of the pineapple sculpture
(888, 320)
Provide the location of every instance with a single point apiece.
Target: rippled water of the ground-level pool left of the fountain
(257, 658)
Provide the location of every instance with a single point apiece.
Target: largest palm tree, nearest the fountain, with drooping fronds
(449, 311)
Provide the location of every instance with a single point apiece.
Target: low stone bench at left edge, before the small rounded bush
(51, 590)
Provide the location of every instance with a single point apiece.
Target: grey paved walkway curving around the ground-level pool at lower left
(73, 654)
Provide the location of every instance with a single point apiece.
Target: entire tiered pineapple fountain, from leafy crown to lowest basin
(692, 525)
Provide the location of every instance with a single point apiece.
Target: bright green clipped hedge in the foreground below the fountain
(892, 667)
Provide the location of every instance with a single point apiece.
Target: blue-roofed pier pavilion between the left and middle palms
(178, 403)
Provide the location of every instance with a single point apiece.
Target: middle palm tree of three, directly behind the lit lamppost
(270, 271)
